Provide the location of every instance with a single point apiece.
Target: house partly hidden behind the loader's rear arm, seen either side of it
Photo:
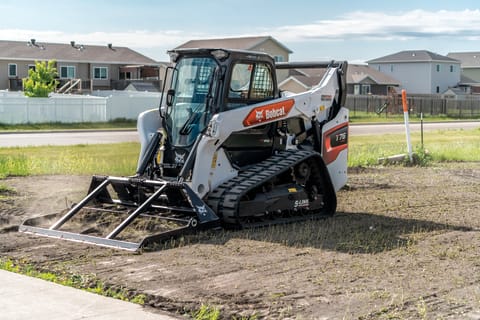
(360, 80)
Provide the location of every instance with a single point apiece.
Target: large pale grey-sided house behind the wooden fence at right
(420, 71)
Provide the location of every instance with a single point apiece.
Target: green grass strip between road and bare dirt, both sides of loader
(121, 158)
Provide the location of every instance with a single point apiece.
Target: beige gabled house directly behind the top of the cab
(267, 44)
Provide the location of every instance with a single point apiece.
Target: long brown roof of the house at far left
(19, 50)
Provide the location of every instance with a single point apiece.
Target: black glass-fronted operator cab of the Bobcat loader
(205, 82)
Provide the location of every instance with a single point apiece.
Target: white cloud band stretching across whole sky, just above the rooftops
(358, 25)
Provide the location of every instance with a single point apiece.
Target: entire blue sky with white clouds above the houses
(356, 31)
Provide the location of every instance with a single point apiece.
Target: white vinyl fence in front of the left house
(15, 108)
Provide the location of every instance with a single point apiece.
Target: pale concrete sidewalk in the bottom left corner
(23, 297)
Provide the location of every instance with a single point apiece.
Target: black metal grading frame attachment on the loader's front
(127, 213)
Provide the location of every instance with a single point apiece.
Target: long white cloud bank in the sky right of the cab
(384, 26)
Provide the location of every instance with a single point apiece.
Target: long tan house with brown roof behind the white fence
(92, 66)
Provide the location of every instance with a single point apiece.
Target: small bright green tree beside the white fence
(41, 81)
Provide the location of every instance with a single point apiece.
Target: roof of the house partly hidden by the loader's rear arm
(356, 73)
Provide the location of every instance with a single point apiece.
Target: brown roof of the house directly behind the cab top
(241, 43)
